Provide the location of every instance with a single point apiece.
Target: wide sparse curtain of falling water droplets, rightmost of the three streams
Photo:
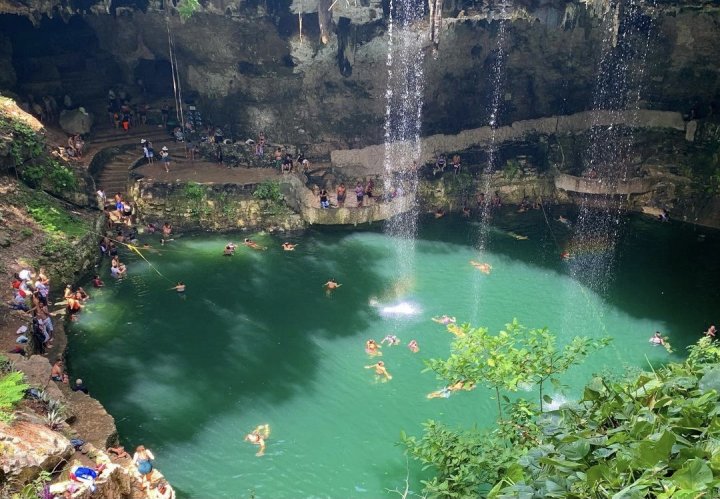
(626, 43)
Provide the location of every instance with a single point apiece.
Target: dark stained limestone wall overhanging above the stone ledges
(247, 64)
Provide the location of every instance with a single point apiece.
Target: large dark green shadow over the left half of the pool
(258, 362)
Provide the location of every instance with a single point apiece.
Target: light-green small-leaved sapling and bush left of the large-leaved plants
(468, 463)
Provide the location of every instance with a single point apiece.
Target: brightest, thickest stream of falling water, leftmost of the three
(403, 119)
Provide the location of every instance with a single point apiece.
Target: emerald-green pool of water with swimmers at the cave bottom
(256, 340)
